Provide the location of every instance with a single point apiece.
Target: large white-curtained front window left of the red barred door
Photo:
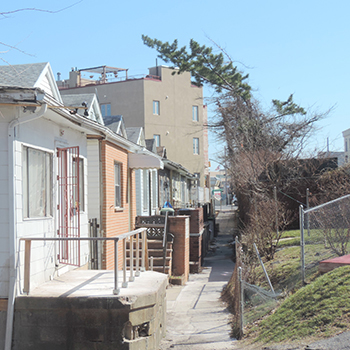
(37, 183)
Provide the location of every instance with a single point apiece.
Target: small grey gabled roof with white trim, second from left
(77, 100)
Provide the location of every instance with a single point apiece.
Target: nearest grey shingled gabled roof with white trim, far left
(38, 75)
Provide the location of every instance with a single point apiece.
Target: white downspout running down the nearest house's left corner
(13, 221)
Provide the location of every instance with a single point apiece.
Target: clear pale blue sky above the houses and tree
(299, 47)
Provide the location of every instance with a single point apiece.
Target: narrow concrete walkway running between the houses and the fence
(196, 318)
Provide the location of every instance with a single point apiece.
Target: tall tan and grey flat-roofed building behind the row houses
(167, 105)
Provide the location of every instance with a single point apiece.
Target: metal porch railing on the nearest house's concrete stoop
(132, 235)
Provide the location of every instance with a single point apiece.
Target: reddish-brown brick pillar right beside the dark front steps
(179, 227)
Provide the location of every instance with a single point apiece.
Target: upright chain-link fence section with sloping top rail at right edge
(325, 233)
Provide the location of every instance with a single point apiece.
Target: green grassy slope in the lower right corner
(322, 308)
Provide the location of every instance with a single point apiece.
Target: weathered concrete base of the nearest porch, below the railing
(130, 321)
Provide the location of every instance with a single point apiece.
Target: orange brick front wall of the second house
(115, 221)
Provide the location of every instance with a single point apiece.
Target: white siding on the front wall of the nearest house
(45, 135)
